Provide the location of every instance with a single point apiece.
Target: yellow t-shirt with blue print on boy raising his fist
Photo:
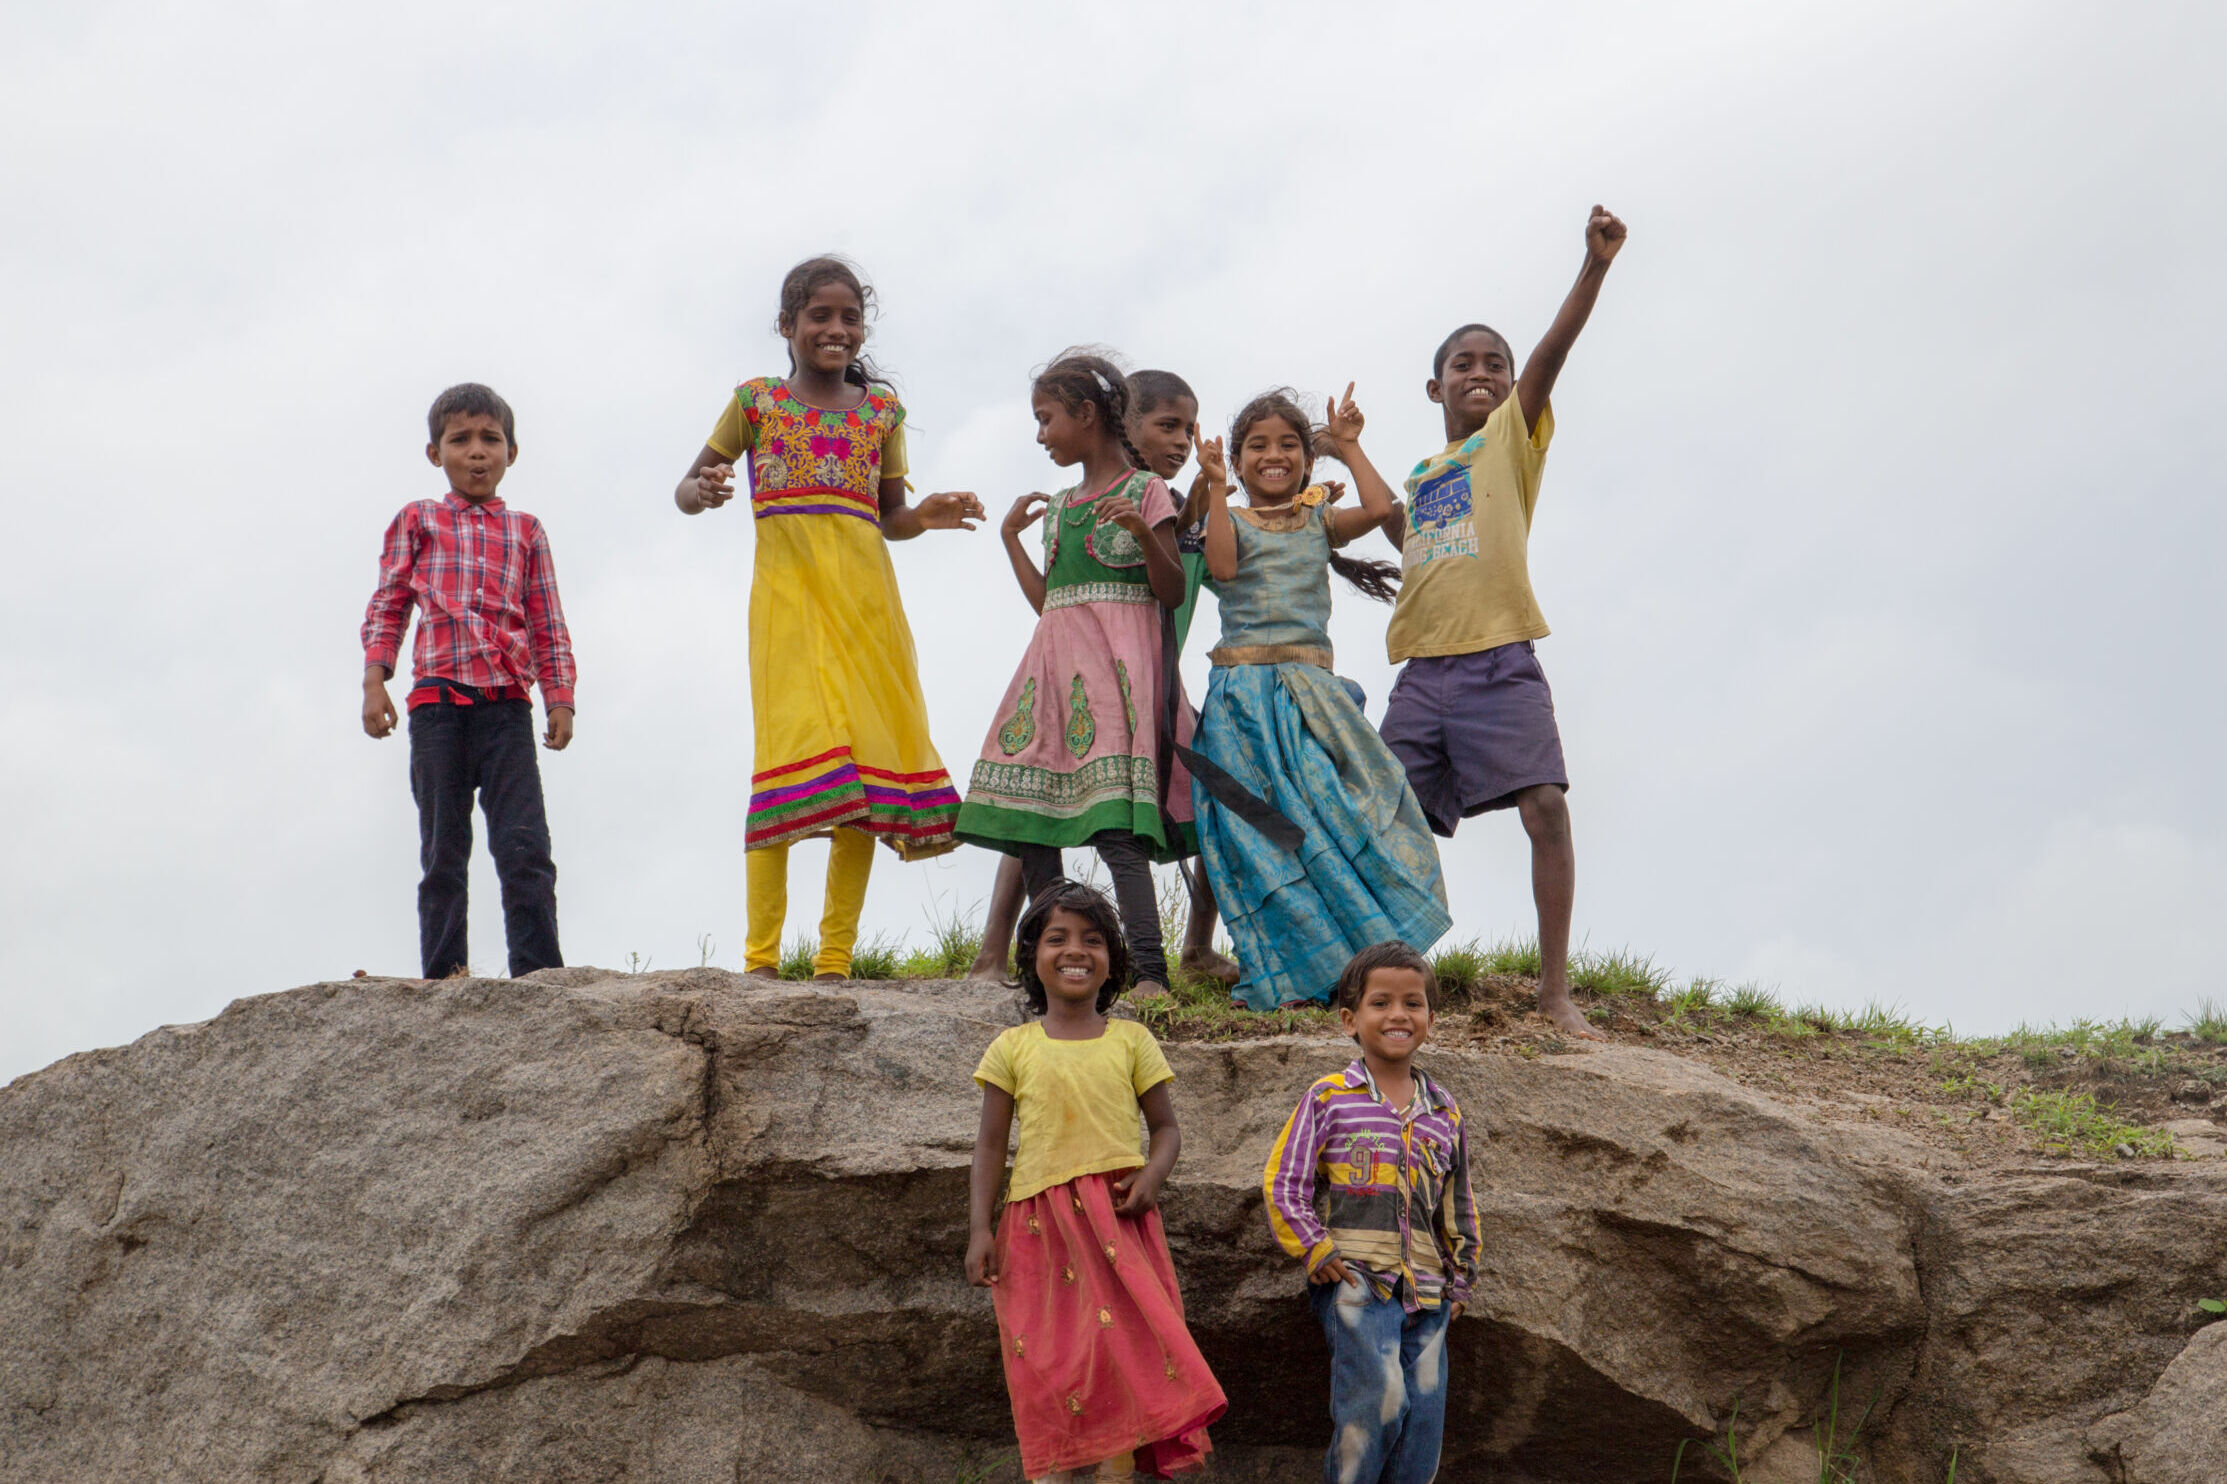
(1466, 574)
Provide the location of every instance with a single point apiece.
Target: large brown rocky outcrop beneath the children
(698, 1227)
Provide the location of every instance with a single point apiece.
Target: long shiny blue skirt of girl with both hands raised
(1368, 870)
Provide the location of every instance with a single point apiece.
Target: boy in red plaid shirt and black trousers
(489, 627)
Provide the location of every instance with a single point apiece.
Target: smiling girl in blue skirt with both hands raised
(1306, 823)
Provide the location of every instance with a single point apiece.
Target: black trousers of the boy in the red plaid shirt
(487, 748)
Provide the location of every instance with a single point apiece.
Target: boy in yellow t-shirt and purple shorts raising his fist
(1471, 719)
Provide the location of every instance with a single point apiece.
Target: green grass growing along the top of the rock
(2083, 1091)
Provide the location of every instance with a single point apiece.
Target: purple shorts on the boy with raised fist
(1473, 732)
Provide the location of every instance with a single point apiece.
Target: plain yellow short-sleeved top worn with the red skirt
(1075, 1100)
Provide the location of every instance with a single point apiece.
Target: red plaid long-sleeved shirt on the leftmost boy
(487, 596)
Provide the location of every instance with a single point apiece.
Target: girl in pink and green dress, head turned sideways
(1083, 745)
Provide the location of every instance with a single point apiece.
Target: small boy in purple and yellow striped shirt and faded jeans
(1371, 1187)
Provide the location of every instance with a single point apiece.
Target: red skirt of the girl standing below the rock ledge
(1097, 1356)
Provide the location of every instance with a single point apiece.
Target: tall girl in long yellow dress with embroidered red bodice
(843, 732)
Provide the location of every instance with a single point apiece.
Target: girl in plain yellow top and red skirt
(1099, 1363)
